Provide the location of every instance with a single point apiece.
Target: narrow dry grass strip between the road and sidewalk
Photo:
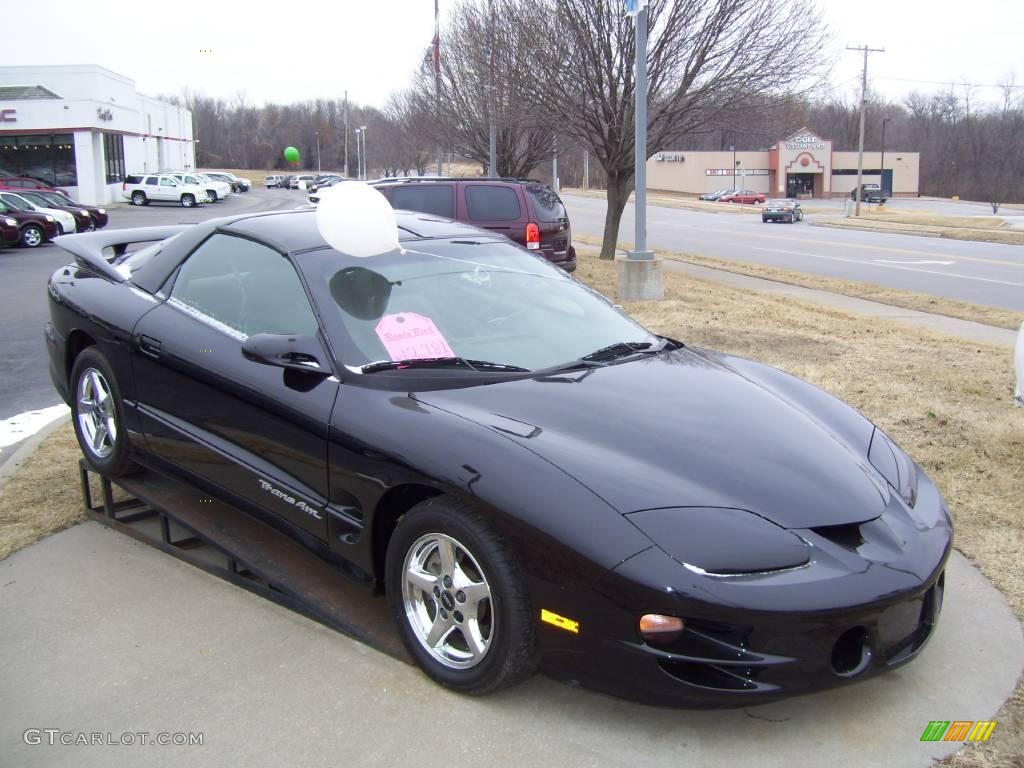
(988, 316)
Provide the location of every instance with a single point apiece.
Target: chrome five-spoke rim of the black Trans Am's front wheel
(448, 602)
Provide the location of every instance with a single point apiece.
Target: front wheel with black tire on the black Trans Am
(458, 600)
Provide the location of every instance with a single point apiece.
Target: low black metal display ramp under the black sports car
(222, 540)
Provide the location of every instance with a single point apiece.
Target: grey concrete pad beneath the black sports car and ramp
(105, 635)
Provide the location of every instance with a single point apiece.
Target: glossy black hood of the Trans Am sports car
(684, 430)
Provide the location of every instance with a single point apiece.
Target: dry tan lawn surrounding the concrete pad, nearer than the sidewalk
(948, 402)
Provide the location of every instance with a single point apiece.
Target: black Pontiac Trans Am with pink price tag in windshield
(534, 479)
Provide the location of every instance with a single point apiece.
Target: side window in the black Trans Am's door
(246, 286)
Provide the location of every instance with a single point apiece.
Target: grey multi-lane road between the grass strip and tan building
(982, 273)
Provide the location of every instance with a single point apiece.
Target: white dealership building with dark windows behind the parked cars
(81, 129)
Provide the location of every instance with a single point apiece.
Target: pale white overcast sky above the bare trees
(297, 51)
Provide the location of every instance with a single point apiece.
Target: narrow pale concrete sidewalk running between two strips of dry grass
(938, 323)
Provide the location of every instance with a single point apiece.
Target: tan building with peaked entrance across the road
(801, 166)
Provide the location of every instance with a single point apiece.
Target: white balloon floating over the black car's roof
(357, 220)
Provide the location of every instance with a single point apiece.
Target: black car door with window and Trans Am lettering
(255, 431)
